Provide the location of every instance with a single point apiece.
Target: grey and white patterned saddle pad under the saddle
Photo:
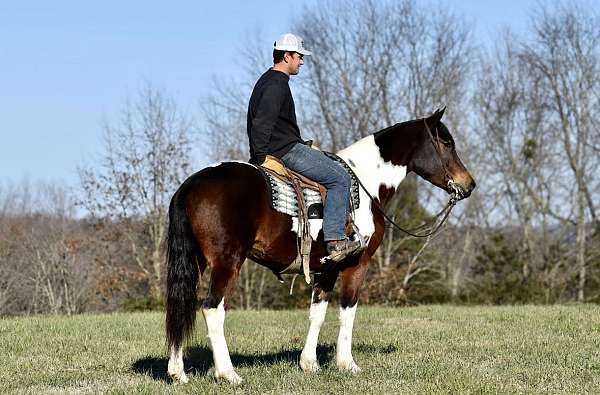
(284, 200)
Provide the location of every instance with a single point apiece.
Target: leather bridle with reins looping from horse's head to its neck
(456, 195)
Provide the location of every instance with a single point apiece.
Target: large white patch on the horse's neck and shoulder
(372, 171)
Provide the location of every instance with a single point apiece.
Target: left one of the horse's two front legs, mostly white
(318, 309)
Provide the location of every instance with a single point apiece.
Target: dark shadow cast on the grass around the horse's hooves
(199, 360)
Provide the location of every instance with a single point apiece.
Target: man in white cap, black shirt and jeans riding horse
(272, 130)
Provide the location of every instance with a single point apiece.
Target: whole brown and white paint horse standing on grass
(221, 215)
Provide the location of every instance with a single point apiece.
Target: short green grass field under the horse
(435, 349)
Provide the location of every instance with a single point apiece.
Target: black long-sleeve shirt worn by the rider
(271, 122)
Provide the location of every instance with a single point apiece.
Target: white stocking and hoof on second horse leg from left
(215, 319)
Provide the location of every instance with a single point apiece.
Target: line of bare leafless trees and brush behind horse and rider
(523, 111)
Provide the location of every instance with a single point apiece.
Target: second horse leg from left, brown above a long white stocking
(222, 283)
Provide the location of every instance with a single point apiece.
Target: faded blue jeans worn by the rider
(318, 167)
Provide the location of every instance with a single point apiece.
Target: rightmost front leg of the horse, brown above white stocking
(352, 279)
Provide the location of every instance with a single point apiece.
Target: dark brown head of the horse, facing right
(435, 159)
